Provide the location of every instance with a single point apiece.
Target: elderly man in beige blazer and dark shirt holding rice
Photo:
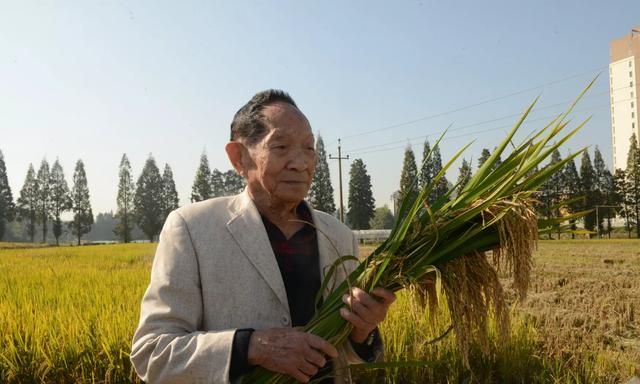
(234, 278)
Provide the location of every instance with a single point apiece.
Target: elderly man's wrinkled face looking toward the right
(283, 162)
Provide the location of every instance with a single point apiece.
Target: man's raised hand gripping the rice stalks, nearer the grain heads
(367, 311)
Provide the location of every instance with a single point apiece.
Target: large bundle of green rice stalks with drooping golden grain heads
(494, 213)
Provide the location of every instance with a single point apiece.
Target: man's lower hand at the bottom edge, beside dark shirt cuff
(289, 351)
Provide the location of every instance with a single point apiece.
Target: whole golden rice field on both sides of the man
(67, 315)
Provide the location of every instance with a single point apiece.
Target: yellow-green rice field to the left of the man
(68, 313)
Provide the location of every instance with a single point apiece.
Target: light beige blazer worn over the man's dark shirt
(214, 272)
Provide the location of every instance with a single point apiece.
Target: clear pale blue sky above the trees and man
(92, 80)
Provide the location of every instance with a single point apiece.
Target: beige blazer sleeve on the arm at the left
(168, 346)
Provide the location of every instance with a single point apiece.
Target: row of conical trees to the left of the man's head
(145, 204)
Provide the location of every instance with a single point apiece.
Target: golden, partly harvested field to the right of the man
(579, 324)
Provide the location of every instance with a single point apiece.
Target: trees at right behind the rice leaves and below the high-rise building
(592, 189)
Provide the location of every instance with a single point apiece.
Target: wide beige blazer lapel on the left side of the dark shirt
(247, 229)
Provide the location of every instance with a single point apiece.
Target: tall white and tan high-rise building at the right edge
(624, 88)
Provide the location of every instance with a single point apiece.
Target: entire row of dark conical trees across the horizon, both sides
(147, 202)
